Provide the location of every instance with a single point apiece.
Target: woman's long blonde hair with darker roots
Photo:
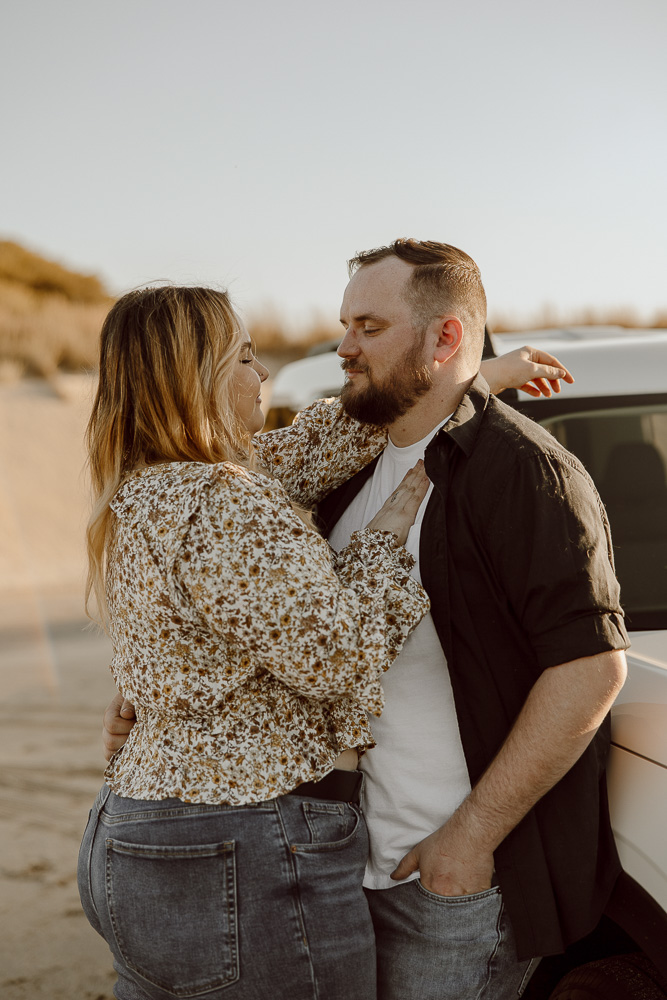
(165, 394)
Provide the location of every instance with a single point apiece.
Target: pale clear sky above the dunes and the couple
(259, 144)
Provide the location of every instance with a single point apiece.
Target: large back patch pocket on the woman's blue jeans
(160, 898)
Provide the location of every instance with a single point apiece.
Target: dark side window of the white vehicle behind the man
(625, 451)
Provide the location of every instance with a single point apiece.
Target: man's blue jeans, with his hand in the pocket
(433, 947)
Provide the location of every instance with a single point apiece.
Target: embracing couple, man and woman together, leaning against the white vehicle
(454, 542)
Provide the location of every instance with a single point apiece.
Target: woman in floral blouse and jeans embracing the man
(251, 657)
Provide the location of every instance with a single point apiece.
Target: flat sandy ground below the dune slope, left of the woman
(54, 685)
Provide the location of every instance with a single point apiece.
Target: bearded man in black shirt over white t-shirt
(488, 778)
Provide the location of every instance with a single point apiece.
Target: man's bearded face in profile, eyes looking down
(384, 356)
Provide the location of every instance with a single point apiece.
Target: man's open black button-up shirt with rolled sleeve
(516, 557)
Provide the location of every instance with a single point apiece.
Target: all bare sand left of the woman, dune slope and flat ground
(54, 686)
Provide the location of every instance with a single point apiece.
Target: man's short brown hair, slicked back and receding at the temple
(444, 280)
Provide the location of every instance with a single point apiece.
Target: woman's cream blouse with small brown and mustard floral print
(250, 650)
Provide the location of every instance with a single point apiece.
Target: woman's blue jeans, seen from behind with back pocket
(230, 902)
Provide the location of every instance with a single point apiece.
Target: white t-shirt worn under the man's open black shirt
(416, 776)
